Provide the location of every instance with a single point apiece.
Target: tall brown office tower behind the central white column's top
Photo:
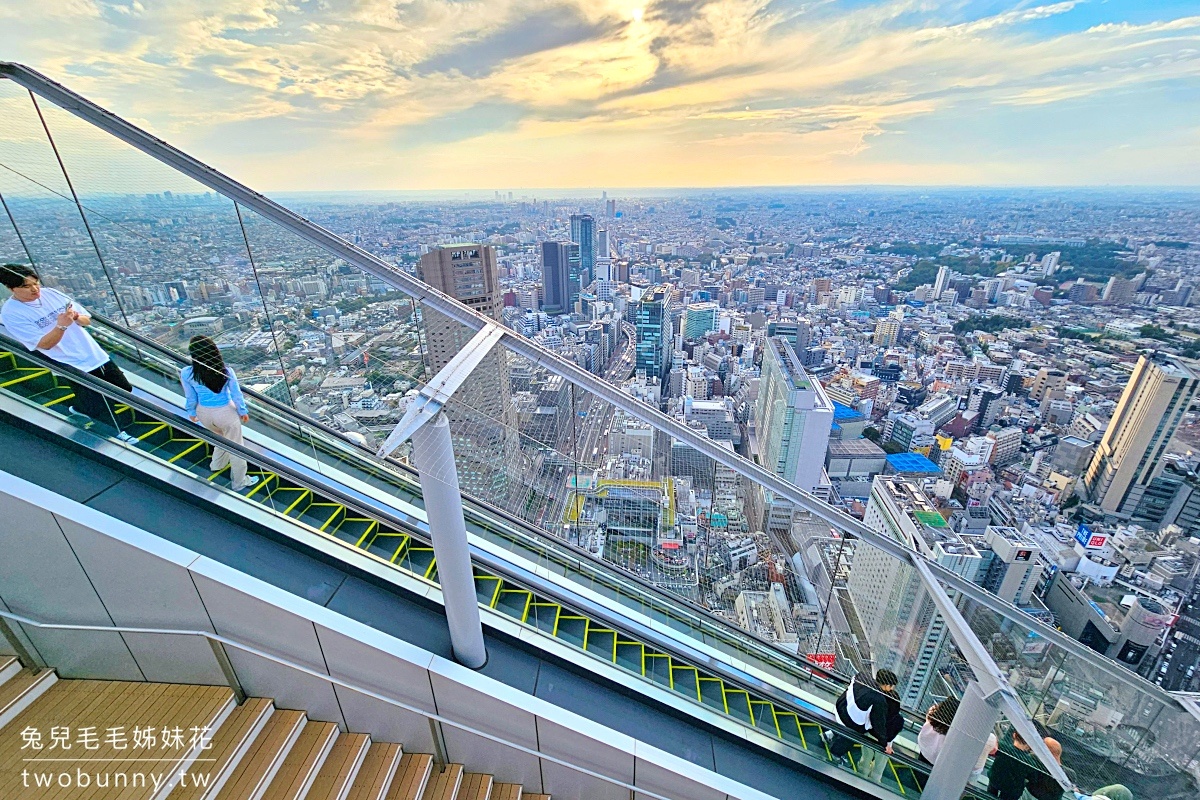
(482, 418)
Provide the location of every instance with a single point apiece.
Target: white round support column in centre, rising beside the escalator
(434, 454)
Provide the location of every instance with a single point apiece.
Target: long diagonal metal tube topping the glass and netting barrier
(224, 185)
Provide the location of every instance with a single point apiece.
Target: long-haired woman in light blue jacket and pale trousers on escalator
(214, 400)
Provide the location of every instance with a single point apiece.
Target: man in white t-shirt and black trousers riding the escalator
(47, 321)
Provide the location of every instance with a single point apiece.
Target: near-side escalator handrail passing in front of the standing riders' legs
(519, 578)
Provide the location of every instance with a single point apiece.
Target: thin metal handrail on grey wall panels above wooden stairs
(338, 682)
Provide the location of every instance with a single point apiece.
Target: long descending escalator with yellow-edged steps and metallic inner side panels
(332, 489)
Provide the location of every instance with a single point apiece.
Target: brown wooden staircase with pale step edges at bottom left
(117, 741)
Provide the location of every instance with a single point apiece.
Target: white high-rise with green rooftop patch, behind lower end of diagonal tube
(903, 628)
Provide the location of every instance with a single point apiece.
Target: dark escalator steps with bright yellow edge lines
(286, 491)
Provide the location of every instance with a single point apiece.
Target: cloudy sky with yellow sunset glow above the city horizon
(434, 95)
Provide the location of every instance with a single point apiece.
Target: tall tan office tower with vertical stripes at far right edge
(1131, 454)
